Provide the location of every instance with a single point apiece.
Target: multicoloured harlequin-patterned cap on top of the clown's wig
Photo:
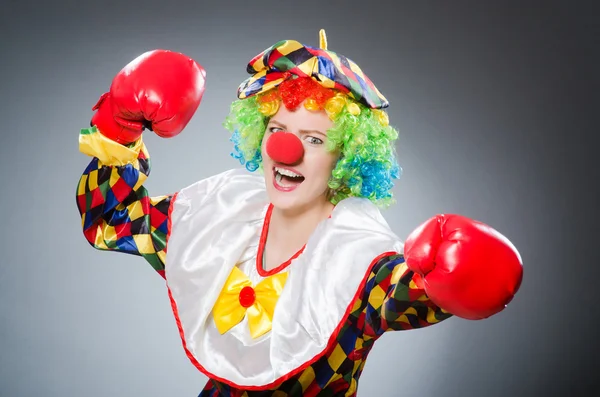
(290, 58)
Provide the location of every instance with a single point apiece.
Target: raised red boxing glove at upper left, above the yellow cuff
(159, 90)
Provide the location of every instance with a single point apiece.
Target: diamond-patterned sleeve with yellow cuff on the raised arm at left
(117, 214)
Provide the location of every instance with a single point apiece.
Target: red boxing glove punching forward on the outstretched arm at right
(468, 268)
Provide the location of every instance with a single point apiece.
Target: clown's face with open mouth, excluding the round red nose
(302, 185)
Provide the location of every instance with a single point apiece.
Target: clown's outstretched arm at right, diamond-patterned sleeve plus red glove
(451, 265)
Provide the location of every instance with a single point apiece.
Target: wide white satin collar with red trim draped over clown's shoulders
(212, 224)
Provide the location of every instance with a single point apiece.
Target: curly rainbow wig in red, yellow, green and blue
(362, 136)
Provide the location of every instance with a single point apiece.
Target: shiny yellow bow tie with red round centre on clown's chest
(238, 298)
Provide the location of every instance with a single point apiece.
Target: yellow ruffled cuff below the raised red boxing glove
(109, 152)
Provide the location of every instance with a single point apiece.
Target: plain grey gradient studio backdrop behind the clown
(493, 103)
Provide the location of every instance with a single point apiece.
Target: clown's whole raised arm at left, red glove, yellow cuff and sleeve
(160, 90)
